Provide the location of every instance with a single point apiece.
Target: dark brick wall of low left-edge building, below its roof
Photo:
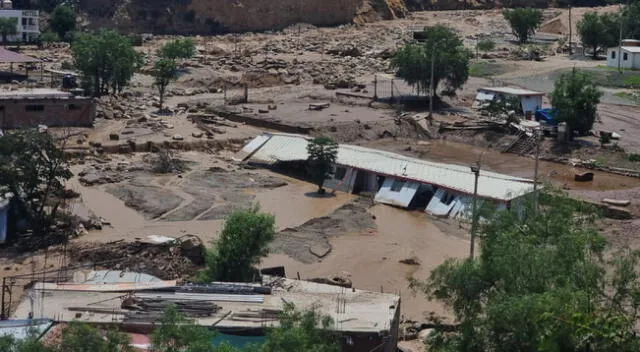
(71, 112)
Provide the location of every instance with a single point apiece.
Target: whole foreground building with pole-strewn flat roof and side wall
(367, 321)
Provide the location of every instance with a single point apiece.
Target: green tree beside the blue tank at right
(576, 97)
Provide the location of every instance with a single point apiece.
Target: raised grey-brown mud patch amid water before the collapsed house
(309, 242)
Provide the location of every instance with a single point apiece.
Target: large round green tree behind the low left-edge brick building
(106, 59)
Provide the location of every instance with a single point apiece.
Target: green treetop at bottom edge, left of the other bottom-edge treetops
(81, 337)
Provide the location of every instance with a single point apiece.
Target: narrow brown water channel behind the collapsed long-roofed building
(558, 175)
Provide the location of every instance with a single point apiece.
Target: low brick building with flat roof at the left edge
(49, 107)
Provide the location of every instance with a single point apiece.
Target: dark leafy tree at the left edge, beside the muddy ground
(33, 169)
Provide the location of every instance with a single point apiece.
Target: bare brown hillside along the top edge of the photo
(218, 16)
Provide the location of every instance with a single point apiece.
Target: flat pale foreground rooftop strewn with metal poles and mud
(362, 311)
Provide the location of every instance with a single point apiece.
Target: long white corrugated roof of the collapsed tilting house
(284, 147)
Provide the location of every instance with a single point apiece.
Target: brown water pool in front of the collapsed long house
(372, 259)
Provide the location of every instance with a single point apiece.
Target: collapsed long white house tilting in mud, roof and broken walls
(394, 179)
